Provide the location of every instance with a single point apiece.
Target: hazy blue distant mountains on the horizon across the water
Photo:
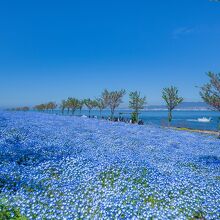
(182, 106)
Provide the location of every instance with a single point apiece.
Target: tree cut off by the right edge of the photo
(210, 93)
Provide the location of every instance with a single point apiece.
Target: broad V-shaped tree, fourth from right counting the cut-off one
(113, 99)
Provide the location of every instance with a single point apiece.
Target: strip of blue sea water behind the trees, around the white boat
(187, 119)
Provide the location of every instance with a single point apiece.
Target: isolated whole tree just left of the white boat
(170, 95)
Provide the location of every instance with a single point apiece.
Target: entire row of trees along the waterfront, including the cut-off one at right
(209, 92)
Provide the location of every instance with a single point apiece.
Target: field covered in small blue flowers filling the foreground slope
(57, 167)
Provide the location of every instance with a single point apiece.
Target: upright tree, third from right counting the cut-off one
(136, 103)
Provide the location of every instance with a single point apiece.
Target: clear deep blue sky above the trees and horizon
(52, 49)
